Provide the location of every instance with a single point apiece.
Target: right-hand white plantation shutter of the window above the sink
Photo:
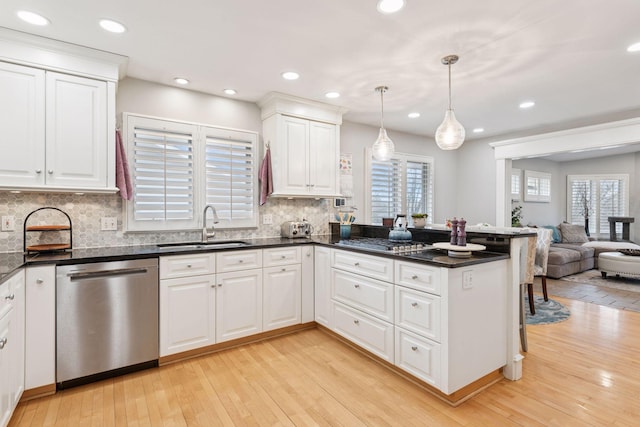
(230, 170)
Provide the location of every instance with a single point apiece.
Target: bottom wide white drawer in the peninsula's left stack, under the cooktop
(368, 332)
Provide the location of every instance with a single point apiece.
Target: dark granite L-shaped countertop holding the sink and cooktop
(11, 262)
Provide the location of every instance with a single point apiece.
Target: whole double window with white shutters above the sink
(177, 168)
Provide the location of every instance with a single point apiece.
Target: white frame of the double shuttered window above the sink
(199, 132)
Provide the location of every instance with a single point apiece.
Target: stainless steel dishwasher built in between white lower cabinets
(106, 320)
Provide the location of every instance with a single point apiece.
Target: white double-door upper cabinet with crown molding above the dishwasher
(57, 115)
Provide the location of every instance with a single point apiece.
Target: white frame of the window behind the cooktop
(404, 158)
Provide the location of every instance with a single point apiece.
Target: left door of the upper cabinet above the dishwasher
(22, 118)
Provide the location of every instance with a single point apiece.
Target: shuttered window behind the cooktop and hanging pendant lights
(403, 184)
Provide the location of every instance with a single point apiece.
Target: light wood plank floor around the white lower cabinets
(581, 372)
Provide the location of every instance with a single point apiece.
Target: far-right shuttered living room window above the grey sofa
(597, 197)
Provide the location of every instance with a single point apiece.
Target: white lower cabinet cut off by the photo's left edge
(12, 327)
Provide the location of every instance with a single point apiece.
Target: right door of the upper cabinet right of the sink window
(323, 159)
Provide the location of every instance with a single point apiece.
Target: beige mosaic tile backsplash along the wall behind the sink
(86, 212)
